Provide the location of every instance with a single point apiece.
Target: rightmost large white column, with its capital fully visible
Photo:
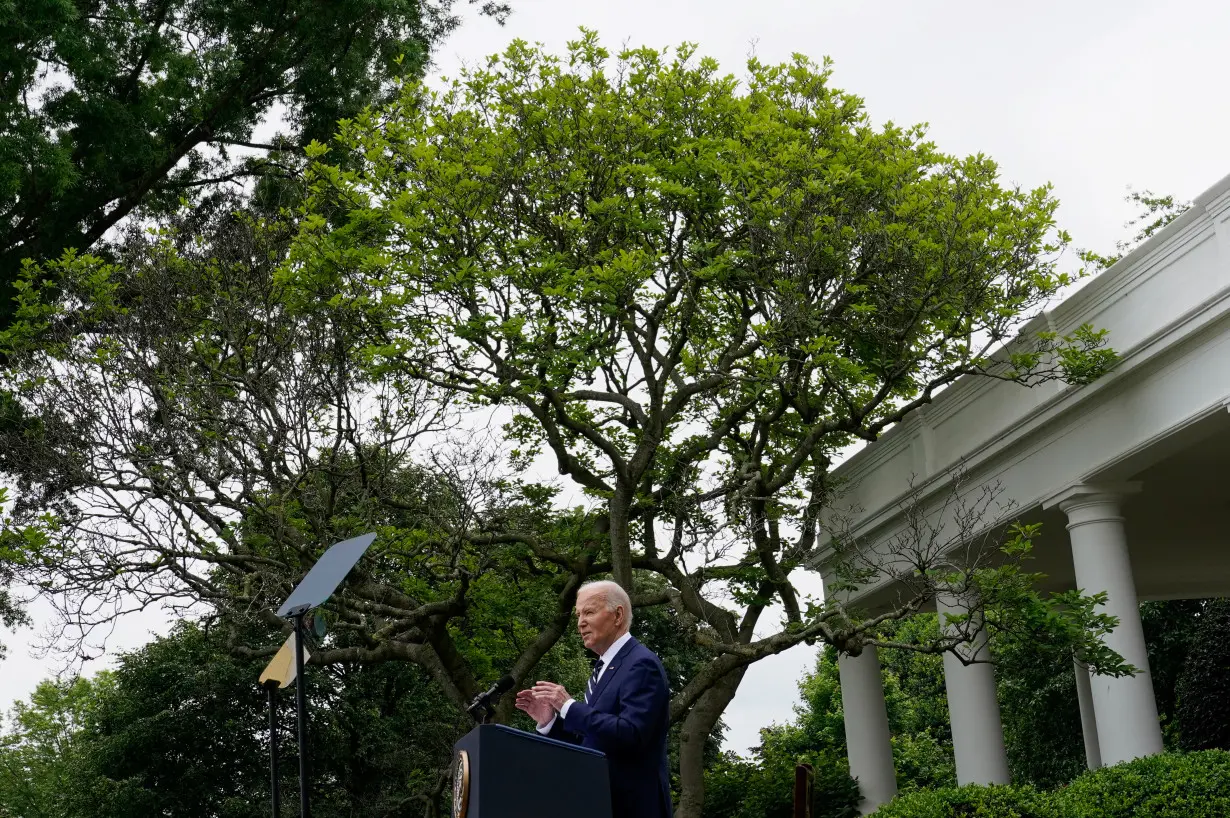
(1125, 709)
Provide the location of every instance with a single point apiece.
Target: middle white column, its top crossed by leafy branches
(974, 708)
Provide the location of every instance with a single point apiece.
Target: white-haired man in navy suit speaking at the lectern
(625, 712)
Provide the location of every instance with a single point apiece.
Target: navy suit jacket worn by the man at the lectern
(628, 719)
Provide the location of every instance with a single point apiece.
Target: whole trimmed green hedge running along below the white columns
(1175, 785)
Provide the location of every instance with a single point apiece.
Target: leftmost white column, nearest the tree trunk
(867, 721)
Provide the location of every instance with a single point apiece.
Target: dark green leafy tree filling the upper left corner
(109, 108)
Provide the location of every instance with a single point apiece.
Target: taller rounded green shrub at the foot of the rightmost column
(1174, 785)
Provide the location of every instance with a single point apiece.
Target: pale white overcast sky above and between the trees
(1090, 95)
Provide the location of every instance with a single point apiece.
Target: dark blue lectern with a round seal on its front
(505, 773)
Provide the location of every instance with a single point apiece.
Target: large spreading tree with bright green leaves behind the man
(691, 292)
